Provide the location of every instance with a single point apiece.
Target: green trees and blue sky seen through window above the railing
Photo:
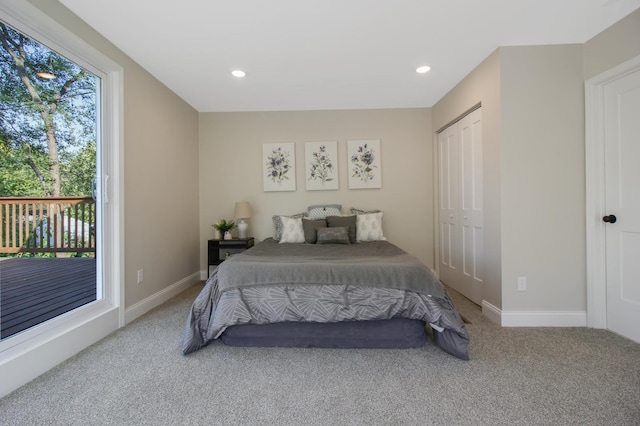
(47, 126)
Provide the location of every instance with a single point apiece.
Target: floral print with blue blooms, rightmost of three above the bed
(364, 164)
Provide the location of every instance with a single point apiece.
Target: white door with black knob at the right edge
(622, 179)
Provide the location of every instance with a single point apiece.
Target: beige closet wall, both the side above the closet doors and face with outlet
(533, 134)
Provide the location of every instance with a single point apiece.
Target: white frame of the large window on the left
(29, 354)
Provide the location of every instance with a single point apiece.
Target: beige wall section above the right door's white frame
(613, 46)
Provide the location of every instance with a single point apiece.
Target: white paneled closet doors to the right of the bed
(461, 210)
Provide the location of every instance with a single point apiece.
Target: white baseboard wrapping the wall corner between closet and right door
(534, 318)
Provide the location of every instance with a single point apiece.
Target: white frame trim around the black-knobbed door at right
(595, 190)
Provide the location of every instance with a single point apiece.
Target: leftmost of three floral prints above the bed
(279, 166)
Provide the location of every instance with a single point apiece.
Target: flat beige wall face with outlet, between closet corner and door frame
(543, 182)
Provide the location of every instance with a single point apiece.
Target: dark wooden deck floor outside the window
(34, 290)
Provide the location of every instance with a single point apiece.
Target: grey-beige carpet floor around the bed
(527, 376)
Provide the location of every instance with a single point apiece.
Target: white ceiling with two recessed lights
(331, 54)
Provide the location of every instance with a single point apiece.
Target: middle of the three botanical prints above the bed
(321, 165)
